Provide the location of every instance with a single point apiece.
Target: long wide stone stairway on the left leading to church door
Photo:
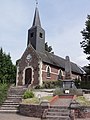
(13, 99)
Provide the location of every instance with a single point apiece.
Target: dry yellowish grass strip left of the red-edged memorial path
(35, 100)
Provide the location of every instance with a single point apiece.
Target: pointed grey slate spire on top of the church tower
(36, 21)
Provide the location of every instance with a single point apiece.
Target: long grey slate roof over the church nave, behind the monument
(59, 62)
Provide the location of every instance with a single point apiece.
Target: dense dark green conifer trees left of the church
(7, 69)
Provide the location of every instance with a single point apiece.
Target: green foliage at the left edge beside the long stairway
(3, 92)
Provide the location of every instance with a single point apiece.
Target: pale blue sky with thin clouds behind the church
(62, 21)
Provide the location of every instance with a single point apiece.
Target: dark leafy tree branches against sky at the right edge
(85, 44)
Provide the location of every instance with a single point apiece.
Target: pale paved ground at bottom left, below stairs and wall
(9, 116)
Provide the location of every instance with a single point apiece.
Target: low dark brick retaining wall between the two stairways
(32, 110)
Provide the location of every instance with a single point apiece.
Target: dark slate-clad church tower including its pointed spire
(36, 34)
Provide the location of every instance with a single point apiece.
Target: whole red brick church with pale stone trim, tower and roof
(37, 65)
